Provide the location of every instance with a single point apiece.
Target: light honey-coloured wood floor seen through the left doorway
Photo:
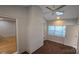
(8, 45)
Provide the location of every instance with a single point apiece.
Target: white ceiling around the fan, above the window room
(70, 11)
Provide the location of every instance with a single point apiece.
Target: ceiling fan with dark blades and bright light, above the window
(56, 10)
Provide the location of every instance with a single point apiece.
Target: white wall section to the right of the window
(71, 36)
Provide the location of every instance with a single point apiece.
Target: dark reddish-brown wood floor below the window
(50, 47)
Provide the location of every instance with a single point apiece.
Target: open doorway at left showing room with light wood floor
(7, 35)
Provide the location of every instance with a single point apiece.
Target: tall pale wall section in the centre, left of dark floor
(35, 29)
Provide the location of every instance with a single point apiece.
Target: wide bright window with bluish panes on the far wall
(56, 31)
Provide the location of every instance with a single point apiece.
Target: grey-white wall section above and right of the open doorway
(21, 16)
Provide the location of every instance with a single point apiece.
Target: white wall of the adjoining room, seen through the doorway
(7, 28)
